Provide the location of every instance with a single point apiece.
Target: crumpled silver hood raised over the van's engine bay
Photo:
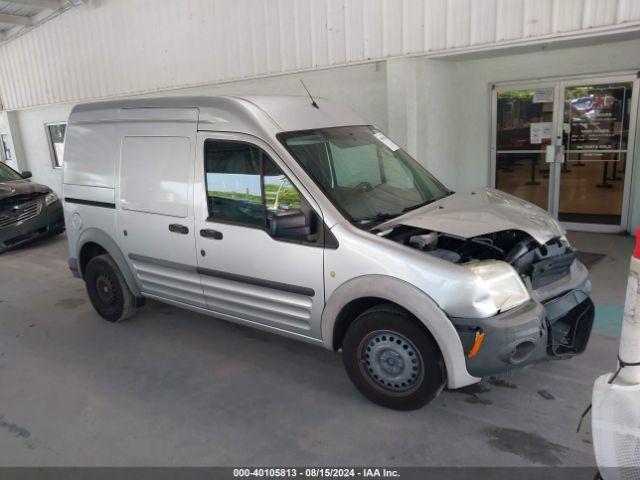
(481, 212)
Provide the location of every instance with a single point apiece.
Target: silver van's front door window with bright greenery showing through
(245, 186)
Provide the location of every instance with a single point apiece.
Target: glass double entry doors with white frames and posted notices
(564, 147)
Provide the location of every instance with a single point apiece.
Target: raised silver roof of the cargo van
(230, 113)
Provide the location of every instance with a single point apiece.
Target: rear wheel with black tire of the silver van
(108, 290)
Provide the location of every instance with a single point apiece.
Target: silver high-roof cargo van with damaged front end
(302, 219)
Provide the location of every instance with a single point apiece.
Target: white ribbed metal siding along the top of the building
(112, 48)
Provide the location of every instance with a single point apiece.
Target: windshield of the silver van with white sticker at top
(367, 176)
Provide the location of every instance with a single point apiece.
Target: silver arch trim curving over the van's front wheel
(415, 301)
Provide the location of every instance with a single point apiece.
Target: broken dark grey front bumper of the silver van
(555, 323)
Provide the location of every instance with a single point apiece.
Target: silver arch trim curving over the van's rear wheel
(94, 241)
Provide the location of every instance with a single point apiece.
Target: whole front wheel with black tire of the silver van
(409, 363)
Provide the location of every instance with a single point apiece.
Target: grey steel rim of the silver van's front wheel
(390, 361)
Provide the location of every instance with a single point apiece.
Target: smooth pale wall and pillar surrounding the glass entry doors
(440, 109)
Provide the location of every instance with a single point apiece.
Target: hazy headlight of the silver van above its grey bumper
(502, 282)
